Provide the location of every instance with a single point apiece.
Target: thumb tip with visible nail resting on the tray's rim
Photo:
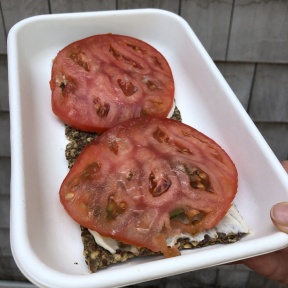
(279, 216)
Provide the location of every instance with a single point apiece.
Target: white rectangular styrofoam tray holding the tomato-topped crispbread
(45, 241)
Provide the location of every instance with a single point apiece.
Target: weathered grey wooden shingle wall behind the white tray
(248, 40)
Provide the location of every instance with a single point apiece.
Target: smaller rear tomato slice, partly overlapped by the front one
(105, 79)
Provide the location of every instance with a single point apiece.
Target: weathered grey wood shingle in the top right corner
(259, 31)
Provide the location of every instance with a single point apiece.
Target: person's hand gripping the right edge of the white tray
(274, 265)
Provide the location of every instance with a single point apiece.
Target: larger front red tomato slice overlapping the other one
(147, 179)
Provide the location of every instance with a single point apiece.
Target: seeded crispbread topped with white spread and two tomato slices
(146, 184)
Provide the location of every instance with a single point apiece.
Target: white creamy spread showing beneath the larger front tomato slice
(232, 223)
